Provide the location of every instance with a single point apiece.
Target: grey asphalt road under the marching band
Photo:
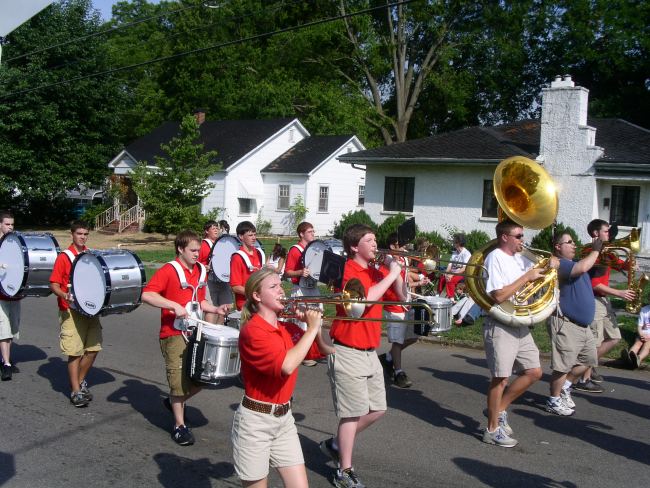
(429, 437)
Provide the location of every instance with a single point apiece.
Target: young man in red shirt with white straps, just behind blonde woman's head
(245, 261)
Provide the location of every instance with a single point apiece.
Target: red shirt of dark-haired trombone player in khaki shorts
(362, 335)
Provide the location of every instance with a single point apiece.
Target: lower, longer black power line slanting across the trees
(209, 48)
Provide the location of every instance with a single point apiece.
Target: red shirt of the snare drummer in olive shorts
(165, 282)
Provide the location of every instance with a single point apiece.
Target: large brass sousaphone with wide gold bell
(527, 195)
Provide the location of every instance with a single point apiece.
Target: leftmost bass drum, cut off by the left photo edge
(26, 263)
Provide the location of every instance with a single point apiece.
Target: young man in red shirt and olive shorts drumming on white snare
(165, 291)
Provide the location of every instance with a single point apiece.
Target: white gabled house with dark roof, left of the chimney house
(266, 164)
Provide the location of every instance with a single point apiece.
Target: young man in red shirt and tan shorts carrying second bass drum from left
(81, 336)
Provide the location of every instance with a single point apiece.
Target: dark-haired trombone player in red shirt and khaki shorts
(356, 375)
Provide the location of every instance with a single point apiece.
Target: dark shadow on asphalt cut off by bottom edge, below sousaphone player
(499, 476)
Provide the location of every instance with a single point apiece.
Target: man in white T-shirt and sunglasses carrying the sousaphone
(508, 348)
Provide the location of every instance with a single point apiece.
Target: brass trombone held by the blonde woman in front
(353, 301)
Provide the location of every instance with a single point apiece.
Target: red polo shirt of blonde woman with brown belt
(262, 349)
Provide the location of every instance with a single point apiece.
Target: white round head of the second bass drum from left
(89, 284)
